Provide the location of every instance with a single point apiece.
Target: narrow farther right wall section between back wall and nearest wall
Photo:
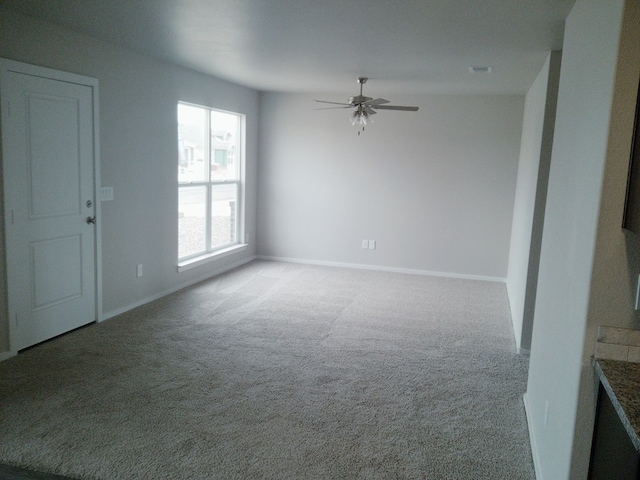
(530, 200)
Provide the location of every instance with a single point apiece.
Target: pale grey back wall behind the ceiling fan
(434, 188)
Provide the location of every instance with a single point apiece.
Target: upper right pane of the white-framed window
(225, 129)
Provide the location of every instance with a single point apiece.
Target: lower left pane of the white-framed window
(192, 203)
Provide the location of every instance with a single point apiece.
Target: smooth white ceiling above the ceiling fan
(404, 46)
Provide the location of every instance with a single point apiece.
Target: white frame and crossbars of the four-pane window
(212, 253)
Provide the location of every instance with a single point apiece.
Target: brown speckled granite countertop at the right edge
(621, 380)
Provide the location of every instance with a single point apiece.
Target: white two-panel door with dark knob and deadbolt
(49, 185)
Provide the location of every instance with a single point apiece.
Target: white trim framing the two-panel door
(6, 66)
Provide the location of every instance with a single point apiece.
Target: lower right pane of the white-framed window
(224, 207)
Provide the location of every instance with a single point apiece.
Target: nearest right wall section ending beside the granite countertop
(587, 262)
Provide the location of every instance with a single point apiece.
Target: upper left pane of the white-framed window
(192, 129)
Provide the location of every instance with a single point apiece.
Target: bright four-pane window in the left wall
(210, 160)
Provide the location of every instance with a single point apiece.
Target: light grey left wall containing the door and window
(138, 97)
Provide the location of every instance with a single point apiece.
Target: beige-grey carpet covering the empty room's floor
(278, 371)
